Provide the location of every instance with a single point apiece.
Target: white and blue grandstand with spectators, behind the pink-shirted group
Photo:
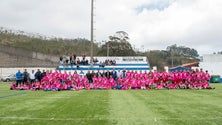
(121, 63)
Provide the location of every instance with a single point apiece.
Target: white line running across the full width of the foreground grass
(102, 118)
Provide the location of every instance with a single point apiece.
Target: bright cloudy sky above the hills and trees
(151, 24)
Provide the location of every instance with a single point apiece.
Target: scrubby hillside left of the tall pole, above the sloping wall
(54, 46)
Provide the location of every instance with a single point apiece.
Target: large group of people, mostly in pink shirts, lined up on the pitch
(122, 80)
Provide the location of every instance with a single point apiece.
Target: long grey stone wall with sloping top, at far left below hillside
(16, 57)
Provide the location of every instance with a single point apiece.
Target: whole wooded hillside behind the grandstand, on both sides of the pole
(35, 43)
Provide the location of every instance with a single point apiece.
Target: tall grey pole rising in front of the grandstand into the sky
(92, 40)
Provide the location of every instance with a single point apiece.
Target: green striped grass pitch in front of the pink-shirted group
(95, 107)
